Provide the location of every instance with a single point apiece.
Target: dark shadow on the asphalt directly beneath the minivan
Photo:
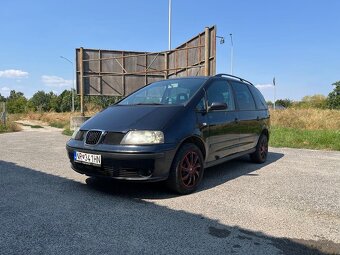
(213, 177)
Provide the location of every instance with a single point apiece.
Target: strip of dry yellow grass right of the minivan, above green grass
(308, 119)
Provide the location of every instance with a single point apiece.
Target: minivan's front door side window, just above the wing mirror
(220, 91)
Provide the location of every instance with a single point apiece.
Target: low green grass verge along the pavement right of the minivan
(303, 138)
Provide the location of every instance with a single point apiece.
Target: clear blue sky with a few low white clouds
(298, 42)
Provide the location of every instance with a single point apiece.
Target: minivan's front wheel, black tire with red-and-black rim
(186, 170)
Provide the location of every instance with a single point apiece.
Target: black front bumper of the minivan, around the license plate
(134, 163)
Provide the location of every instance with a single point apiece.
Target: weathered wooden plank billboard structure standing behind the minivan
(119, 73)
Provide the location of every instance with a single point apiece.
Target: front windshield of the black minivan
(168, 92)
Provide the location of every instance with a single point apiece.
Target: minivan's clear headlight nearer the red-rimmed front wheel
(143, 137)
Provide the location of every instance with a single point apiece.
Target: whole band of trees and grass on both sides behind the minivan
(313, 122)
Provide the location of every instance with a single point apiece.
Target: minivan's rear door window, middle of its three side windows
(244, 98)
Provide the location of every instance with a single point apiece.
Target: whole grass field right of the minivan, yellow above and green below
(306, 128)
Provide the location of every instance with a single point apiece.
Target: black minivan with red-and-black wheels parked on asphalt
(172, 130)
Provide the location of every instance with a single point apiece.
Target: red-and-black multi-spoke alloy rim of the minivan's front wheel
(190, 169)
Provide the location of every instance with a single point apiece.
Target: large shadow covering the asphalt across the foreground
(45, 214)
